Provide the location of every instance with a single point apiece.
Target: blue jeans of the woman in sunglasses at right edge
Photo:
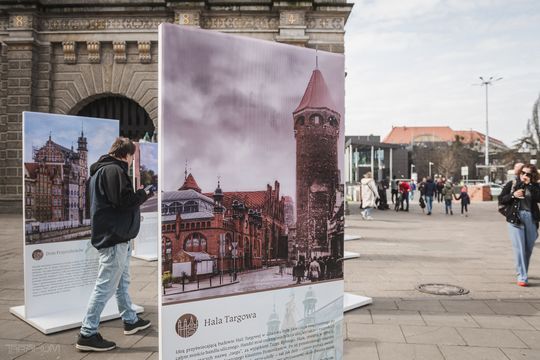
(523, 238)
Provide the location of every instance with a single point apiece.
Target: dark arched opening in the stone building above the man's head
(134, 120)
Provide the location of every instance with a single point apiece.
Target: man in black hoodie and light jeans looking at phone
(115, 216)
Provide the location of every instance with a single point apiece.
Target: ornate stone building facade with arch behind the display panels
(99, 57)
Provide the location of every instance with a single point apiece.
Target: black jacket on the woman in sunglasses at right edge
(507, 198)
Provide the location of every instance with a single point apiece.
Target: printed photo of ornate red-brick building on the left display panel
(58, 151)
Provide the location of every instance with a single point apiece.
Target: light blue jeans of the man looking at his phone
(113, 277)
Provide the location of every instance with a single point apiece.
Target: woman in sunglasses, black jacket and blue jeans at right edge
(520, 198)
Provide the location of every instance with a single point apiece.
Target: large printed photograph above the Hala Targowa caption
(251, 197)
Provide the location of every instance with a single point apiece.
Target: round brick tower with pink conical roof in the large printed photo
(316, 129)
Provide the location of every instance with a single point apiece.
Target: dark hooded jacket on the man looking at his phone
(114, 205)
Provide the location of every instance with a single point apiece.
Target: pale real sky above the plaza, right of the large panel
(414, 62)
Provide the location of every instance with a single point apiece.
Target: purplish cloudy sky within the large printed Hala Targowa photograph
(227, 108)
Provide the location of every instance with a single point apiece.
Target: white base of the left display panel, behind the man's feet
(66, 319)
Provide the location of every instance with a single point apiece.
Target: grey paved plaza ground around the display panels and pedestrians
(496, 320)
